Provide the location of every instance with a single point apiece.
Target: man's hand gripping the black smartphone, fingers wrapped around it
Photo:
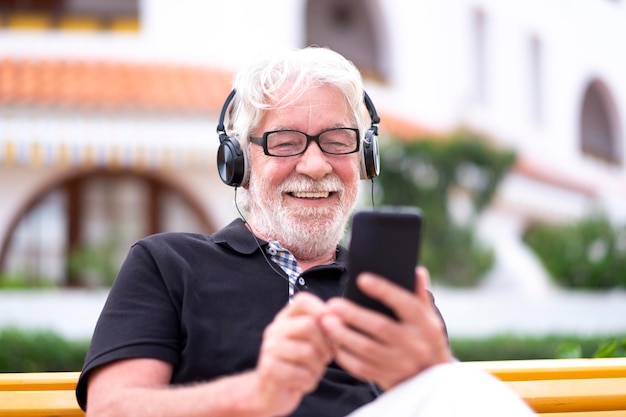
(374, 347)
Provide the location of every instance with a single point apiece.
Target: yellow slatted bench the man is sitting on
(553, 388)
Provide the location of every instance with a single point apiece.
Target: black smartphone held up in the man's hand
(385, 242)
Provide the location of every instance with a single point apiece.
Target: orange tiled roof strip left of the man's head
(112, 85)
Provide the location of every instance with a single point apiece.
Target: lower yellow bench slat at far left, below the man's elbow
(59, 403)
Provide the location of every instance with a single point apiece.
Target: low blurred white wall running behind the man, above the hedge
(468, 313)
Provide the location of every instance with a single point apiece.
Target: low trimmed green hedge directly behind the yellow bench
(23, 351)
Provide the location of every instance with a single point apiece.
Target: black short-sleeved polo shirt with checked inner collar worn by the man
(201, 303)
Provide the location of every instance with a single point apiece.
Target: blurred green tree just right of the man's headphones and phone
(432, 173)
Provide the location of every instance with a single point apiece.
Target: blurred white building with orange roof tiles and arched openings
(108, 112)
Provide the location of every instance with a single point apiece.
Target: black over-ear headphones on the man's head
(232, 164)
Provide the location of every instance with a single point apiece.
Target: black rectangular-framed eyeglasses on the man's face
(335, 141)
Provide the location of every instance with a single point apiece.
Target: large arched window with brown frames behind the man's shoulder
(77, 232)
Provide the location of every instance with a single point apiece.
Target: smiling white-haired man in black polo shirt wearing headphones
(249, 321)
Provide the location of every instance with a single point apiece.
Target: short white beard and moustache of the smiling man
(308, 232)
